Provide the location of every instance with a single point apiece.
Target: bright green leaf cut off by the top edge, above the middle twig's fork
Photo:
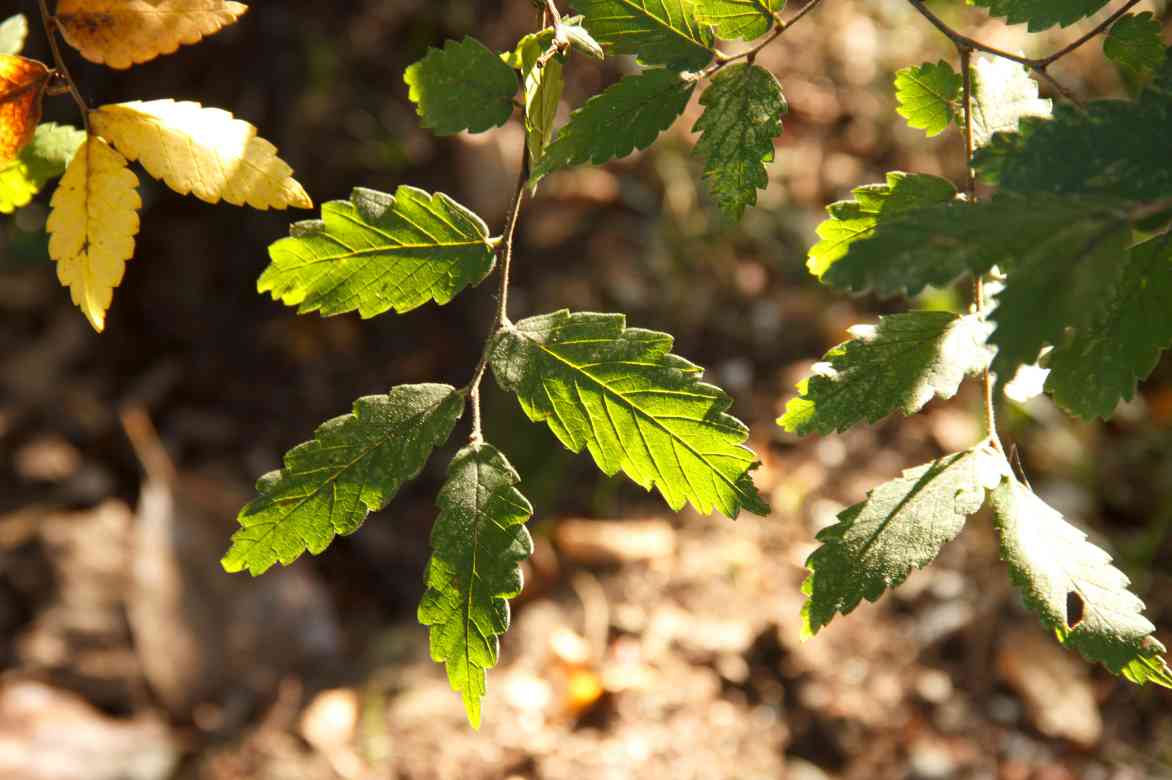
(660, 32)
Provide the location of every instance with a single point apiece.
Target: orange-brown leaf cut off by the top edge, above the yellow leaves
(122, 33)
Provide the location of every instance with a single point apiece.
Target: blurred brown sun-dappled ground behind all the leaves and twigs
(646, 645)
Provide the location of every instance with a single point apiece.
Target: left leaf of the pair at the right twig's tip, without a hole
(901, 526)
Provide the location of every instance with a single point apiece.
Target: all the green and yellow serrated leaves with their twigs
(1068, 256)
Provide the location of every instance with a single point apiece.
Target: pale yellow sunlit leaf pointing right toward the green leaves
(205, 152)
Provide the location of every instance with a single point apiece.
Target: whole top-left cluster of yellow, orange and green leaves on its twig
(196, 150)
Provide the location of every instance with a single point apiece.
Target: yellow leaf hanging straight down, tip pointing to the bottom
(93, 227)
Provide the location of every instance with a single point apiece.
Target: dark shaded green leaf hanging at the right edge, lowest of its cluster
(1101, 362)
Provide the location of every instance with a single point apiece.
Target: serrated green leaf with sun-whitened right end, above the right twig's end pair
(901, 365)
